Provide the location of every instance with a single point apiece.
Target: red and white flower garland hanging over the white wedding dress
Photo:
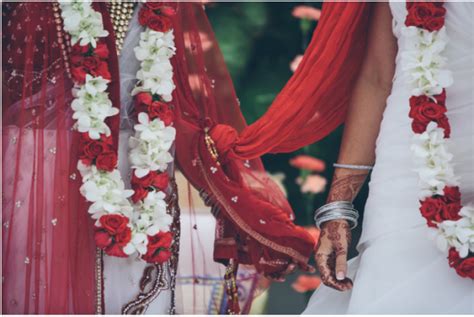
(440, 198)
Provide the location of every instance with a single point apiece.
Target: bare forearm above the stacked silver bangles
(366, 109)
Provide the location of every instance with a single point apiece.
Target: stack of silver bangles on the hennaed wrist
(336, 210)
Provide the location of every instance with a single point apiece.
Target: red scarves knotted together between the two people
(219, 153)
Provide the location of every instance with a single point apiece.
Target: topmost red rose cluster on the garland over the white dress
(426, 15)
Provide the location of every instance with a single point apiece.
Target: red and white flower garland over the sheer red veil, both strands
(127, 221)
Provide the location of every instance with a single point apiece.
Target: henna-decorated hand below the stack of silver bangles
(331, 254)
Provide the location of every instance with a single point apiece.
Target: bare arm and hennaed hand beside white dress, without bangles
(361, 129)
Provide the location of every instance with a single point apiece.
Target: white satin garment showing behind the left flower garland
(122, 276)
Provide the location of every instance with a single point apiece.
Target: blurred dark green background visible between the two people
(259, 41)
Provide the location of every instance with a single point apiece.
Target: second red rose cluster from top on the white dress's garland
(423, 110)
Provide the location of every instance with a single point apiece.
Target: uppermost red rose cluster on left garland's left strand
(89, 60)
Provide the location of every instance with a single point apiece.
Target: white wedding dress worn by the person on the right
(399, 269)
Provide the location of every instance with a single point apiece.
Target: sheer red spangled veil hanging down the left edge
(48, 251)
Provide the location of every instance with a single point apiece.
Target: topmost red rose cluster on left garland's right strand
(156, 16)
